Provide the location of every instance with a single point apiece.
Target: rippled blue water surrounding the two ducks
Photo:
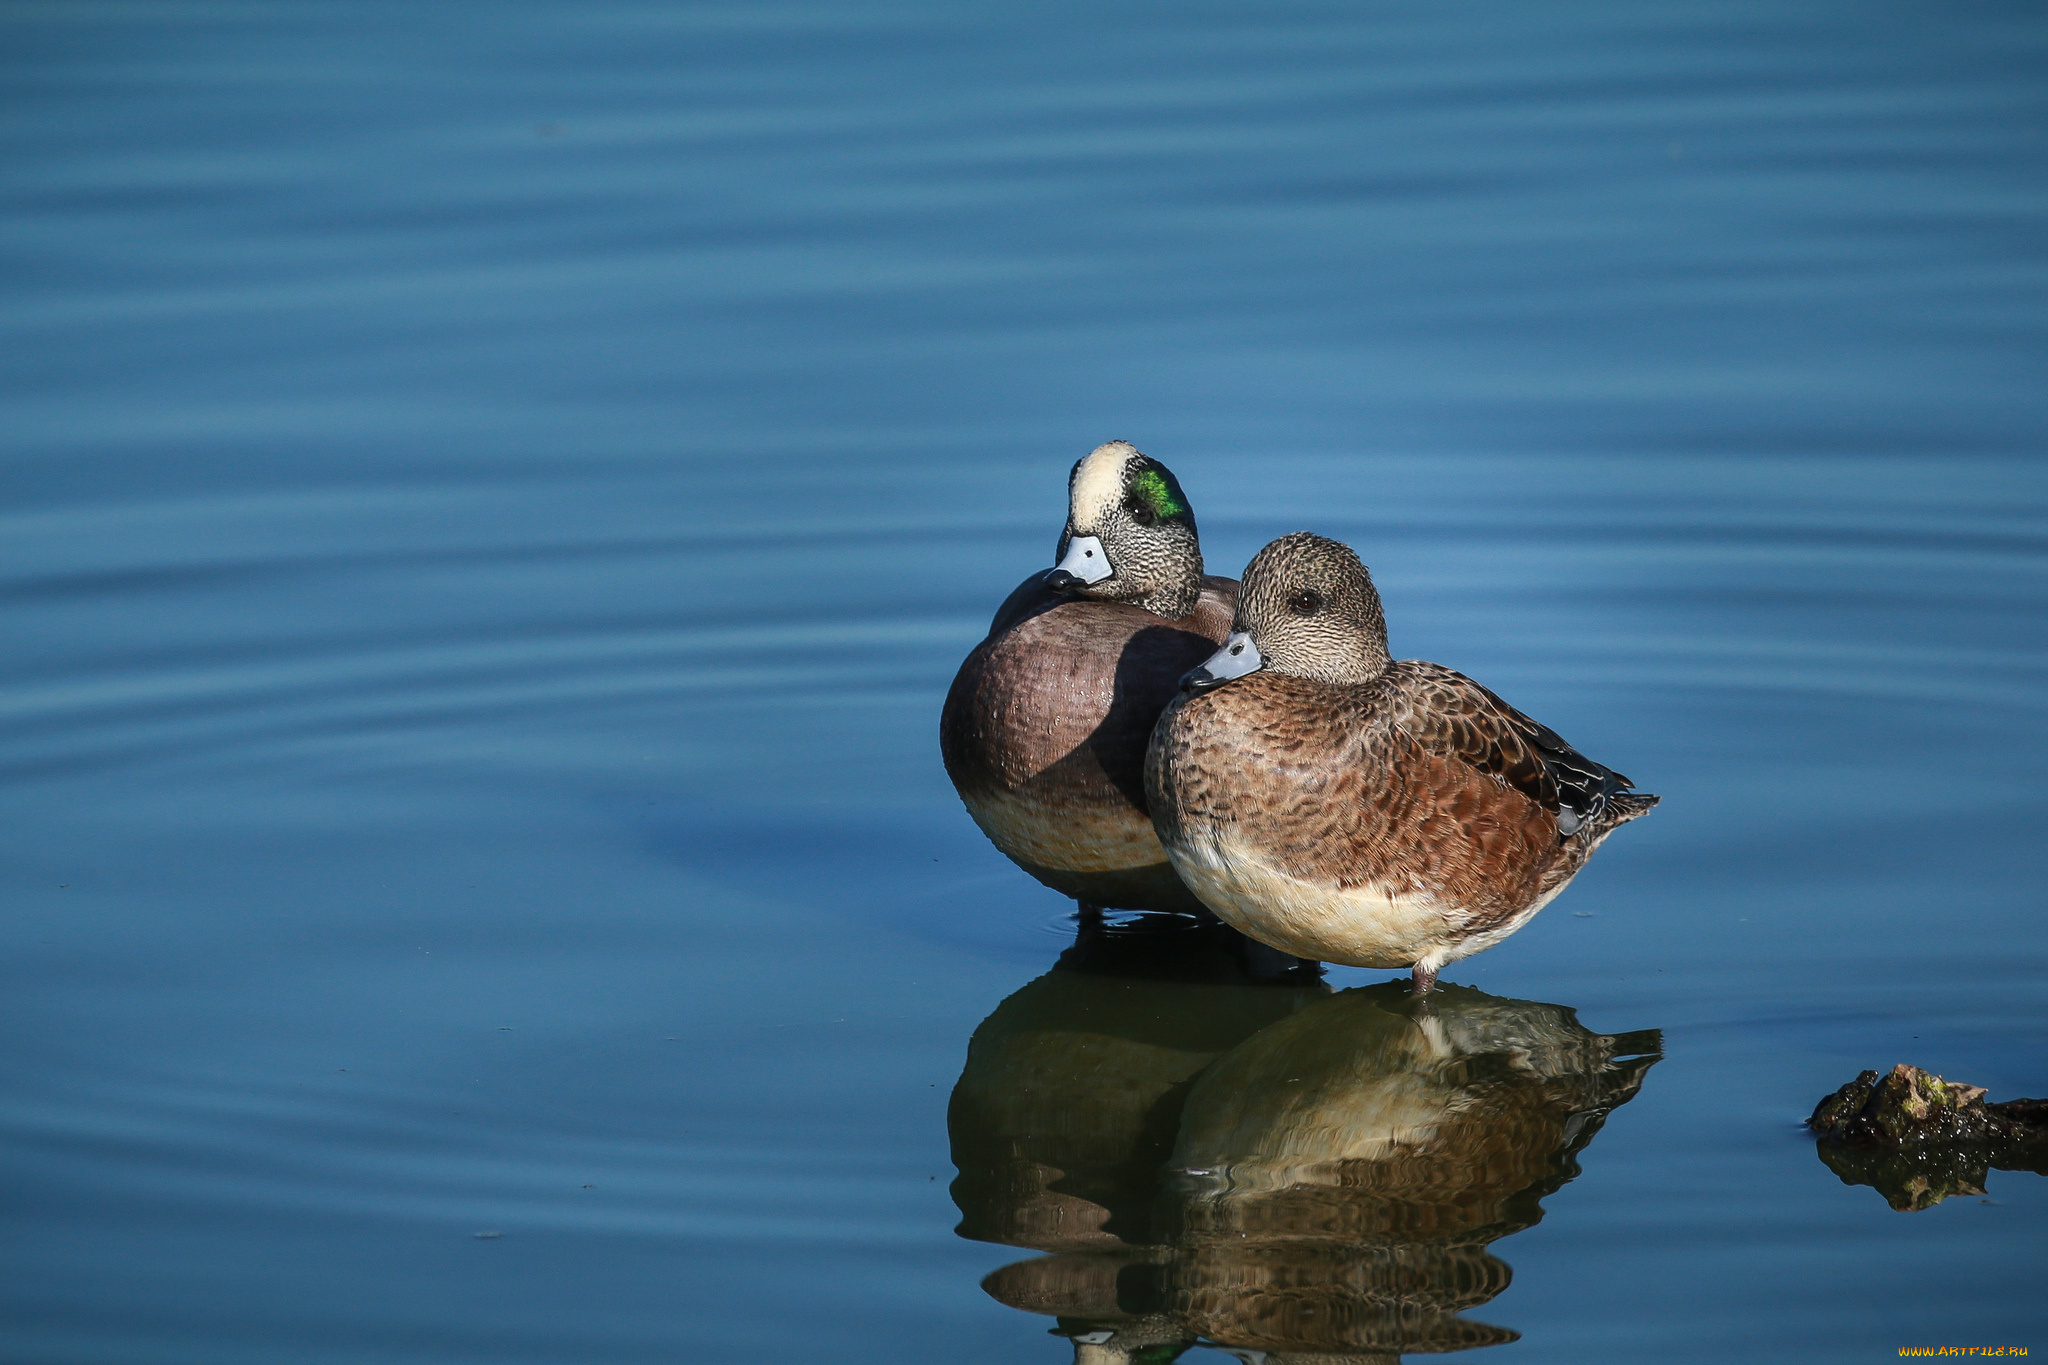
(497, 494)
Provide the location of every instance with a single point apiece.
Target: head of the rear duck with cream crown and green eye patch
(1129, 535)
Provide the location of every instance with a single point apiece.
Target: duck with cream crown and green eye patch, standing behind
(1046, 725)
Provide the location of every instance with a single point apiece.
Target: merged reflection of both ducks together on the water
(1326, 1190)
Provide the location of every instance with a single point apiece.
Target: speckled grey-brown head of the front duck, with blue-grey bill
(1306, 609)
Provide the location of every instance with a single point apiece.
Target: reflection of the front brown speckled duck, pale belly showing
(1340, 1176)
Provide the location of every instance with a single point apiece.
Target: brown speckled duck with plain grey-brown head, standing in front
(1340, 805)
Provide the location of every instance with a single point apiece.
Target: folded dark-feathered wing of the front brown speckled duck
(1449, 713)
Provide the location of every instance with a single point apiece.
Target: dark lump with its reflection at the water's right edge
(1920, 1139)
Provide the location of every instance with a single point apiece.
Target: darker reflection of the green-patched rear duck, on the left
(1070, 1106)
